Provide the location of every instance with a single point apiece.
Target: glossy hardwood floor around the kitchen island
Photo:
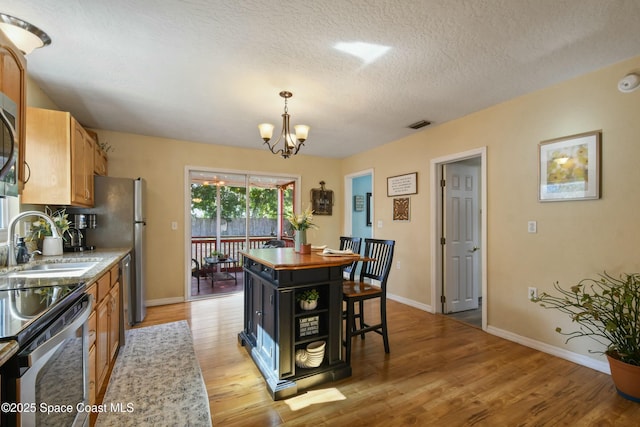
(439, 372)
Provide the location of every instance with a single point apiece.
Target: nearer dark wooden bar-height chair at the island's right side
(378, 256)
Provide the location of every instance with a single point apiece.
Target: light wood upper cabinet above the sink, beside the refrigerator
(60, 153)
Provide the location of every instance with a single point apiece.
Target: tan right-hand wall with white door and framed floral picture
(574, 240)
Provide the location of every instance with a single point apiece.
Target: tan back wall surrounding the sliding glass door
(162, 163)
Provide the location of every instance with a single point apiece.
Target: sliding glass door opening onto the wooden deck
(231, 212)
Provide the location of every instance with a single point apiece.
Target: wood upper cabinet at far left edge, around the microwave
(13, 71)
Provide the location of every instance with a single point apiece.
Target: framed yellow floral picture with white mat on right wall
(569, 168)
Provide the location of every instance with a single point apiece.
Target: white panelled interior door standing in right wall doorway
(461, 237)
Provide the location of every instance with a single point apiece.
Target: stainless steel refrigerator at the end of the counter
(120, 222)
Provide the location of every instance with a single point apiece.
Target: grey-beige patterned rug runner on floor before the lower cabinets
(156, 381)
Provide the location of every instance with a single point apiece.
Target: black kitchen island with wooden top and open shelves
(276, 327)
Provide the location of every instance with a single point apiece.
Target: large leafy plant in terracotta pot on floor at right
(607, 310)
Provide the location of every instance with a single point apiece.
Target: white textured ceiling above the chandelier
(211, 70)
